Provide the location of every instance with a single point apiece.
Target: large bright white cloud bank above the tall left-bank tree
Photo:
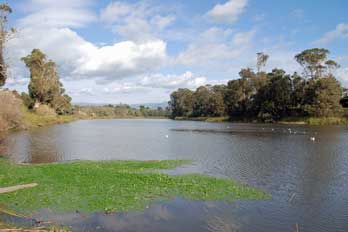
(48, 26)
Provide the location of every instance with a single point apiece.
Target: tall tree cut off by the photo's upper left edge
(5, 34)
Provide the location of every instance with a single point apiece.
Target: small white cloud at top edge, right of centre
(228, 12)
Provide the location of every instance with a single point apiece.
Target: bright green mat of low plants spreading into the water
(109, 186)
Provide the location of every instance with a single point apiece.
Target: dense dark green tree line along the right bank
(268, 96)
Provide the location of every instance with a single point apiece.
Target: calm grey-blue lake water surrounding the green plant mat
(308, 179)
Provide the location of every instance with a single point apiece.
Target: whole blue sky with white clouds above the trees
(140, 51)
